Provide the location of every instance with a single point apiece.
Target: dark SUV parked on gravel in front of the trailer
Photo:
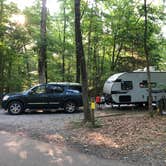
(45, 96)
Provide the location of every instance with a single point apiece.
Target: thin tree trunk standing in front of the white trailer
(147, 57)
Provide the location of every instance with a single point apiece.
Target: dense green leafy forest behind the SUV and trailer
(112, 35)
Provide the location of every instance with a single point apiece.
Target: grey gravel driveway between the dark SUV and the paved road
(37, 124)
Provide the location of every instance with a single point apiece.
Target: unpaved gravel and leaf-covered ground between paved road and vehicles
(131, 136)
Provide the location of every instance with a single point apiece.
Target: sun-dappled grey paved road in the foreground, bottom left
(24, 151)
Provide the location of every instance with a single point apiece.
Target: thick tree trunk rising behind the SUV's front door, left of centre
(42, 68)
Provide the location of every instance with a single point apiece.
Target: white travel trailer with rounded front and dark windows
(132, 87)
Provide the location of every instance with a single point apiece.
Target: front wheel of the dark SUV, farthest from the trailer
(15, 108)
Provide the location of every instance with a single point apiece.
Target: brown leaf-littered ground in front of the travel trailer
(132, 136)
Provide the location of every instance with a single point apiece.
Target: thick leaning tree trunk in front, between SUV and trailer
(81, 57)
